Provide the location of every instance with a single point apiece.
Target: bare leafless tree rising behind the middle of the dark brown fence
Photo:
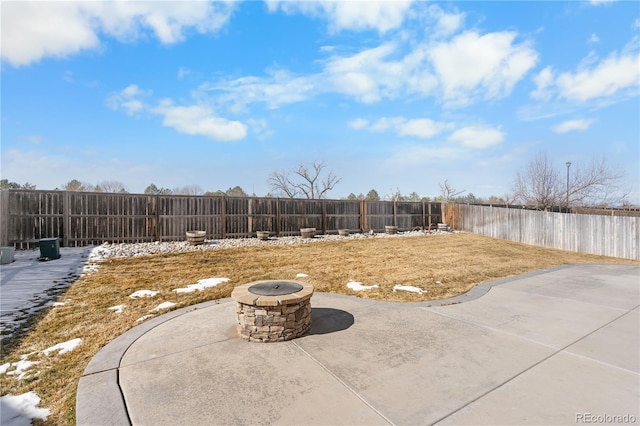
(304, 181)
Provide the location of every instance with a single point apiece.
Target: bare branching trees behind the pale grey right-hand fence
(542, 186)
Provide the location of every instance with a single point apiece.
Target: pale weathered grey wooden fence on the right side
(614, 236)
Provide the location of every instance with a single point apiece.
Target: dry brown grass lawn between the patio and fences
(444, 266)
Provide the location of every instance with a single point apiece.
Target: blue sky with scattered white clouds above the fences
(390, 95)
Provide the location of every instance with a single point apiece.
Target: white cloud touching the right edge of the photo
(615, 73)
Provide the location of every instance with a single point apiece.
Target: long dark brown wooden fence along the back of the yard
(86, 218)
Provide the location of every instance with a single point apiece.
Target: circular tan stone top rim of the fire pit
(265, 293)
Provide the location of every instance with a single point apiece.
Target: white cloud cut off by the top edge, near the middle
(357, 15)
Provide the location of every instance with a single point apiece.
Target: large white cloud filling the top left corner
(35, 30)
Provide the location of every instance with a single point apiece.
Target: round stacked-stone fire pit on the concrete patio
(273, 311)
